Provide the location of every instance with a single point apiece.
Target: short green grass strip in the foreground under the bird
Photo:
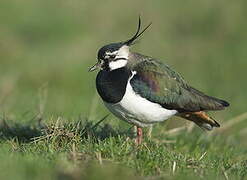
(82, 149)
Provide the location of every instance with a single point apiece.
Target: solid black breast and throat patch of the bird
(111, 85)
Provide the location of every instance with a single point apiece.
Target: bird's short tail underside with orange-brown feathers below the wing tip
(201, 119)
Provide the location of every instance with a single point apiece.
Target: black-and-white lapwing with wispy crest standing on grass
(143, 91)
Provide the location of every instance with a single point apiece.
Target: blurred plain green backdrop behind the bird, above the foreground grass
(47, 46)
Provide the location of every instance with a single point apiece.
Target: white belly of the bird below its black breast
(139, 111)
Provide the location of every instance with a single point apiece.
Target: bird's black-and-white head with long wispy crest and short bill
(115, 55)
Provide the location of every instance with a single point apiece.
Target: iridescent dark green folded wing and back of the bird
(158, 83)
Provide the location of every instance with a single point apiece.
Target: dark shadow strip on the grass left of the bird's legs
(37, 130)
